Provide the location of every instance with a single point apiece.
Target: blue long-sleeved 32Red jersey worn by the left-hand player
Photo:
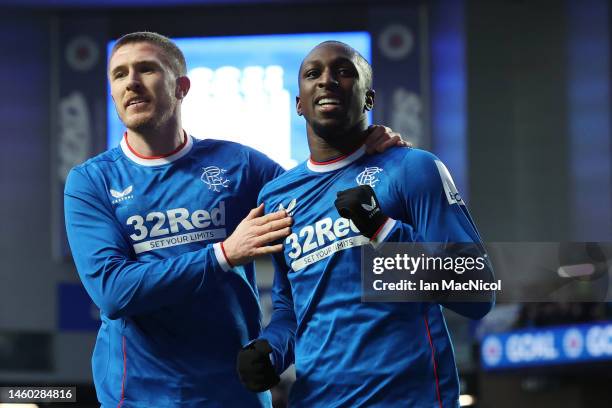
(174, 313)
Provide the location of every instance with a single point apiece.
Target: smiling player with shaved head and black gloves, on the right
(349, 353)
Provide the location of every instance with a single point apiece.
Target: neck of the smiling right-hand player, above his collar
(325, 149)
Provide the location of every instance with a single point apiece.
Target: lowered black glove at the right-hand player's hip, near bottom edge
(255, 370)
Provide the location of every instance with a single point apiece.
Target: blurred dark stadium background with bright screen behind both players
(513, 95)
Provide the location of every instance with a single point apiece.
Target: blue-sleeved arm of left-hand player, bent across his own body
(118, 283)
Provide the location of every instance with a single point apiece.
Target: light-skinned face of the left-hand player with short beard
(144, 88)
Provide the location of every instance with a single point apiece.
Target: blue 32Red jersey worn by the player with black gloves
(349, 353)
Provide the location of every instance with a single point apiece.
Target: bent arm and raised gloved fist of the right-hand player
(438, 216)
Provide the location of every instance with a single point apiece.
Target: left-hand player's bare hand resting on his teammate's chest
(251, 237)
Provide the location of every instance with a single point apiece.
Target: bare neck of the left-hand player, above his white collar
(156, 142)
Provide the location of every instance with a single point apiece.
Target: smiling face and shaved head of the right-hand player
(334, 90)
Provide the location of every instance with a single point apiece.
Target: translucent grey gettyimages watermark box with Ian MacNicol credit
(513, 272)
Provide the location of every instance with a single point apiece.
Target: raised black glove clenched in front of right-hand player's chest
(360, 205)
